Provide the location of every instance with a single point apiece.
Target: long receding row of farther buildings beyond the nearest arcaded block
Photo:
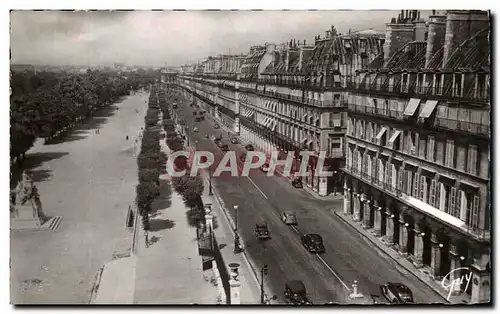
(288, 97)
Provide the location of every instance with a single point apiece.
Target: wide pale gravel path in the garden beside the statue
(89, 180)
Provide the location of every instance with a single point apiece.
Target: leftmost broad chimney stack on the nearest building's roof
(396, 36)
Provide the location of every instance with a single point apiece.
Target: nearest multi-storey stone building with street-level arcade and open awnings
(418, 144)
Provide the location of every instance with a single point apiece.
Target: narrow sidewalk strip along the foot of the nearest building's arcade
(423, 274)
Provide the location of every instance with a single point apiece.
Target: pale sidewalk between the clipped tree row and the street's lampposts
(170, 270)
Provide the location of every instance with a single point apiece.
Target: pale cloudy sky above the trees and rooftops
(168, 38)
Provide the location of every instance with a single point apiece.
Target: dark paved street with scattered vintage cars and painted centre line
(328, 277)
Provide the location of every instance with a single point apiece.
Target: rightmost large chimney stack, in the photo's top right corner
(460, 26)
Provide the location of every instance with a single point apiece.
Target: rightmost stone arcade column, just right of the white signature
(481, 282)
